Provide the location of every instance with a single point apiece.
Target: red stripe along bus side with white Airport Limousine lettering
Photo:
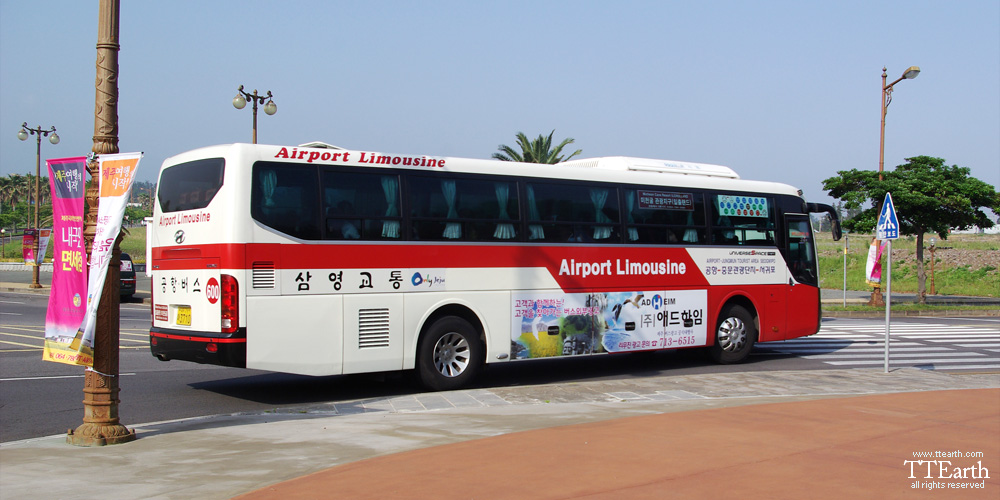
(604, 265)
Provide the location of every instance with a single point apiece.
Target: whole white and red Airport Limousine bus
(320, 261)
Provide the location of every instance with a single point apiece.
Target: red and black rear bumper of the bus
(199, 347)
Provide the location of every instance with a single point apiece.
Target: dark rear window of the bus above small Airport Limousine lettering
(190, 186)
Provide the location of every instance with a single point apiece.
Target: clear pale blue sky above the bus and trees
(779, 90)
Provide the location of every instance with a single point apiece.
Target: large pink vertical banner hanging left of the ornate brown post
(67, 299)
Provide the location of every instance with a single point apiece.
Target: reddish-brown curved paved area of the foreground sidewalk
(828, 448)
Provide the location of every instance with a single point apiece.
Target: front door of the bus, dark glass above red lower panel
(803, 281)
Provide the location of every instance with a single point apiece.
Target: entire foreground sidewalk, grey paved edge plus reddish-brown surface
(808, 434)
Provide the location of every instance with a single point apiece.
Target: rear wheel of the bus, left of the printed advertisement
(450, 354)
